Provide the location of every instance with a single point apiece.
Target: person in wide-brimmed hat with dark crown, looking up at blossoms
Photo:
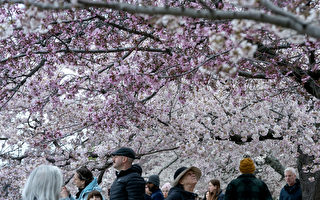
(185, 180)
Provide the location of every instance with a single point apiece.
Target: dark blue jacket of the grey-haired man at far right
(291, 192)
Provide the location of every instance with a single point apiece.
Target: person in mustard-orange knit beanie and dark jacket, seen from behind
(247, 186)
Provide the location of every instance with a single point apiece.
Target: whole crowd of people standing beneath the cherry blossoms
(46, 183)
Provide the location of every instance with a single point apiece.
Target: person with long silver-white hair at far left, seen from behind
(44, 182)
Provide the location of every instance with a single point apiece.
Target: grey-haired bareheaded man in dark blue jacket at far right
(292, 190)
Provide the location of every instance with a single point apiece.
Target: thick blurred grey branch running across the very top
(286, 21)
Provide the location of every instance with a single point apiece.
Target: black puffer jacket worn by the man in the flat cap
(129, 185)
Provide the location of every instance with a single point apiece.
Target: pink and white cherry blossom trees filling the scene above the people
(200, 82)
